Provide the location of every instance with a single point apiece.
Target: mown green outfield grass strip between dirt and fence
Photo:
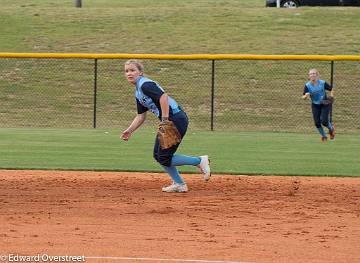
(237, 153)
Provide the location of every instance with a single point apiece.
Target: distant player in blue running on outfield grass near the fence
(315, 89)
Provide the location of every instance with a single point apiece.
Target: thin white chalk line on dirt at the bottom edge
(164, 259)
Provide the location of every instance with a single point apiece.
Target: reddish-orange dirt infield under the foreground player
(230, 218)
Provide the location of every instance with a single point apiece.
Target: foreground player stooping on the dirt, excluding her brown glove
(150, 96)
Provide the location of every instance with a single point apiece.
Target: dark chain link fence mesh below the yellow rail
(238, 95)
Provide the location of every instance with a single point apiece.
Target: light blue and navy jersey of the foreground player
(148, 93)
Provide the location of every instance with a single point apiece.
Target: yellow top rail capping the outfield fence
(181, 56)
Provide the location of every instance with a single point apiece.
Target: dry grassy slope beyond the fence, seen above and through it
(266, 92)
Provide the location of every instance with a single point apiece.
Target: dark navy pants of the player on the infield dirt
(164, 156)
